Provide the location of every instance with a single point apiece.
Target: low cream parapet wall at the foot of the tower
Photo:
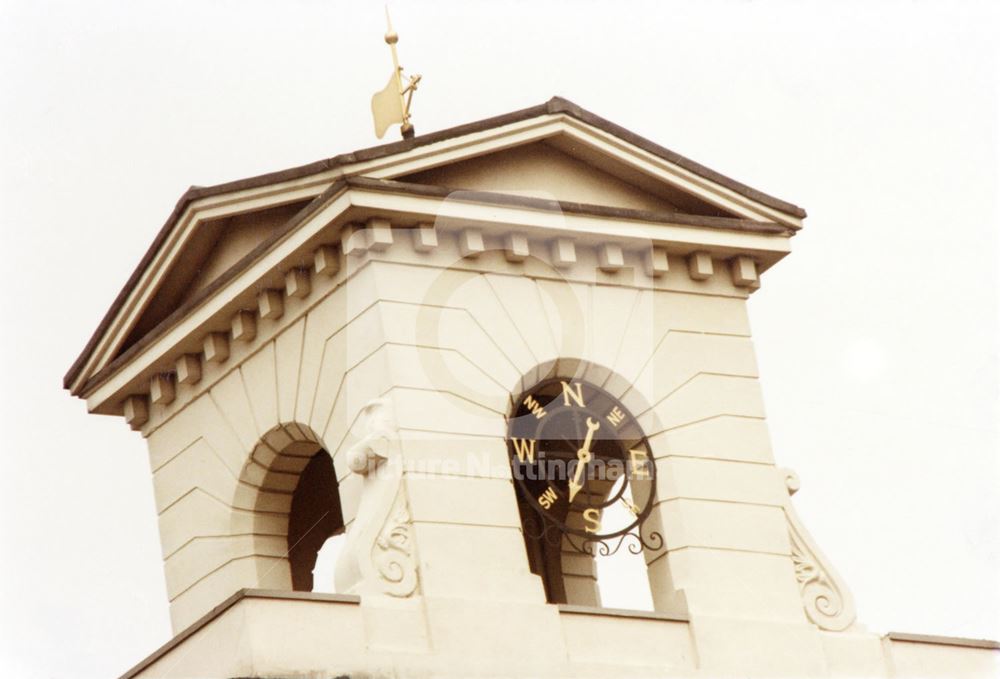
(277, 634)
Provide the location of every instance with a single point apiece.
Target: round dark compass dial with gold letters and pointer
(575, 450)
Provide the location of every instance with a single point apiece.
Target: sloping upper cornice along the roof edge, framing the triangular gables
(556, 118)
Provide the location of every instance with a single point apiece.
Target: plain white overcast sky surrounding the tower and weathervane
(877, 337)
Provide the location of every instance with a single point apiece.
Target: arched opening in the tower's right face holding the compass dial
(586, 483)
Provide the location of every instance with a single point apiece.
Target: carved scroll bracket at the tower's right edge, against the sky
(825, 597)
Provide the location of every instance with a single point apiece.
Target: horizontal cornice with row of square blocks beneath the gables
(359, 217)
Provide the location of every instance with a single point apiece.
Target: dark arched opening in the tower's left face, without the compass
(315, 516)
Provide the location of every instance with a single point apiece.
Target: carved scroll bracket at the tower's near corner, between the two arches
(379, 556)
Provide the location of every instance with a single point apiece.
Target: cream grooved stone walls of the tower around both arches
(448, 337)
